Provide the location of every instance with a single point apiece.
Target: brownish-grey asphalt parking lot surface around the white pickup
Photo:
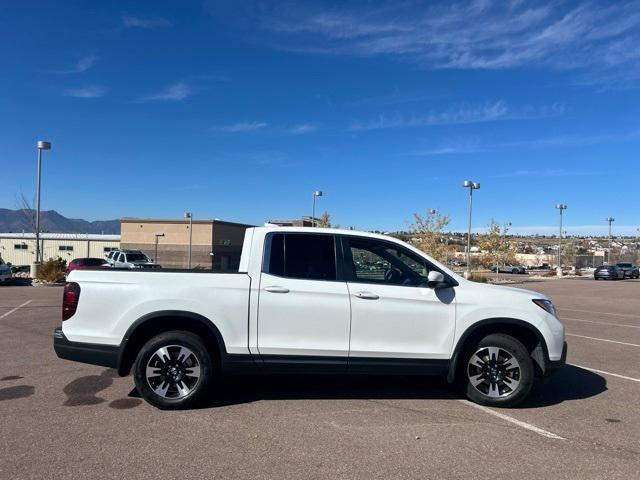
(61, 419)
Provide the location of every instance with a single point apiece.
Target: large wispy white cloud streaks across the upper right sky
(477, 34)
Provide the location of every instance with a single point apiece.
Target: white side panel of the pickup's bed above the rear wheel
(113, 300)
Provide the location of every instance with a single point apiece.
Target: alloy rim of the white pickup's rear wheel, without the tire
(173, 371)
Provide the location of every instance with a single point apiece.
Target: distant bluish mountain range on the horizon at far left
(16, 221)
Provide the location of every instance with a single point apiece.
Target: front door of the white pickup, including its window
(394, 314)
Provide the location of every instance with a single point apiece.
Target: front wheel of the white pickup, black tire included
(485, 392)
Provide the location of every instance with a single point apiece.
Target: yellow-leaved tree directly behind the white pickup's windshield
(426, 233)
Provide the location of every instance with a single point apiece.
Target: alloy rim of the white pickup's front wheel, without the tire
(494, 372)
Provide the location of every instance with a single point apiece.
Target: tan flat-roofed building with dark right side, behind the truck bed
(216, 244)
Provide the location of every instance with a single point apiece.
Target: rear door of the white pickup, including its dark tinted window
(303, 307)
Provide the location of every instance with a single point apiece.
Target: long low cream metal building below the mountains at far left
(20, 248)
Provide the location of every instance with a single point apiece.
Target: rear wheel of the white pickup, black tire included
(175, 377)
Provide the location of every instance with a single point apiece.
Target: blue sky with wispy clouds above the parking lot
(239, 110)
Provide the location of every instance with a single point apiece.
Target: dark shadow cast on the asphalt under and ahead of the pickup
(570, 383)
